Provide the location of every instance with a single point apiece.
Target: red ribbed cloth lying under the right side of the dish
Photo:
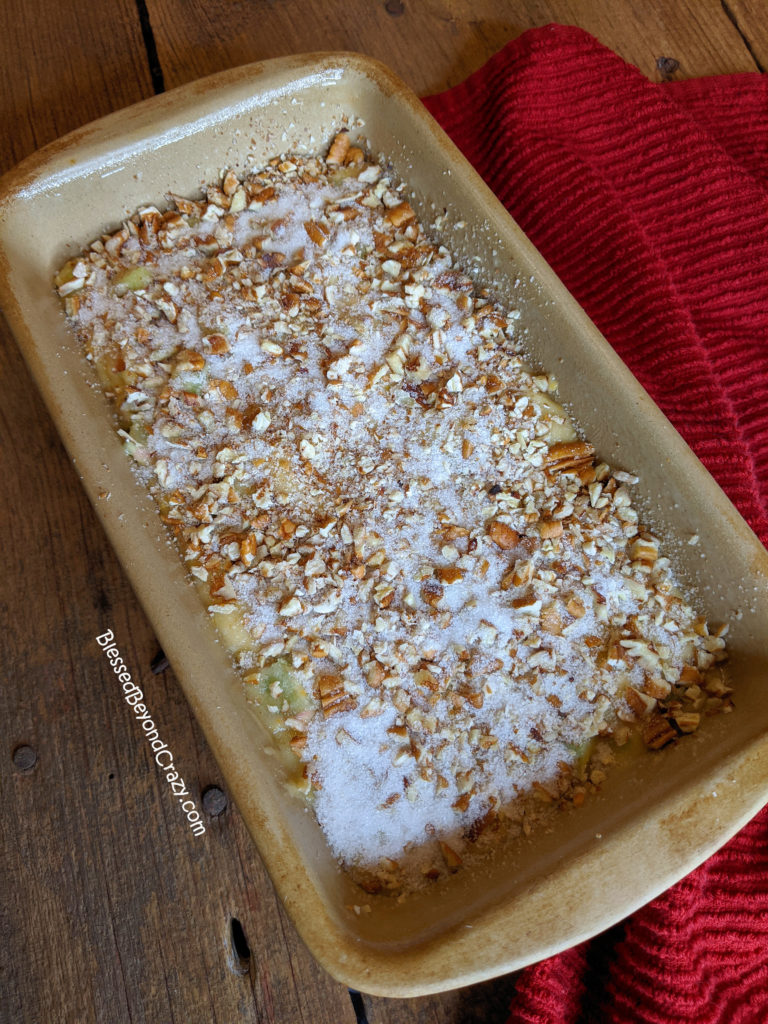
(651, 201)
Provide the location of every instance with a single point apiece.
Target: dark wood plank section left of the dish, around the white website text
(114, 910)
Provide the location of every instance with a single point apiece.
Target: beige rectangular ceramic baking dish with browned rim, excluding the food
(657, 818)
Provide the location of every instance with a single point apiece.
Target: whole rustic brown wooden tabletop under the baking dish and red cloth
(113, 911)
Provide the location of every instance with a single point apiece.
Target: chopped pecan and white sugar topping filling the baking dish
(442, 604)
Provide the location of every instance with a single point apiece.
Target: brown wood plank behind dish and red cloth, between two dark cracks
(436, 46)
